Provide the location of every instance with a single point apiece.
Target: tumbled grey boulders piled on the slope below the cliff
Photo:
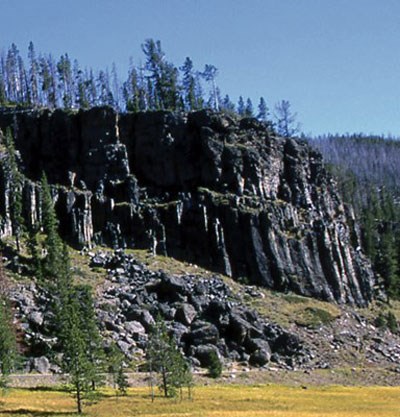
(203, 314)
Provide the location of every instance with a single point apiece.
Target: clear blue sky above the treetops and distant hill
(336, 61)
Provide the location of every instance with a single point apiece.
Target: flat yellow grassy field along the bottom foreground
(210, 401)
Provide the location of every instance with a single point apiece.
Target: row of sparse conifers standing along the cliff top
(158, 84)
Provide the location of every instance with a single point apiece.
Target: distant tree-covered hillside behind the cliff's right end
(367, 169)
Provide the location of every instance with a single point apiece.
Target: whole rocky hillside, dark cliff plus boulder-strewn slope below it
(284, 276)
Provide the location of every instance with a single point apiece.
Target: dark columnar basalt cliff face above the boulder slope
(202, 187)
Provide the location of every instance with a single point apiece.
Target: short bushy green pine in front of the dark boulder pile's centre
(164, 357)
